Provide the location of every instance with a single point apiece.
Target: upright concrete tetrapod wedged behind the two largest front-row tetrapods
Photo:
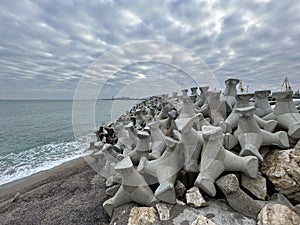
(192, 142)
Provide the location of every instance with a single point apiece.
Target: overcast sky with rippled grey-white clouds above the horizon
(48, 47)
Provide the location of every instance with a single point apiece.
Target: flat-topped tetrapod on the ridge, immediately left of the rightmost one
(262, 104)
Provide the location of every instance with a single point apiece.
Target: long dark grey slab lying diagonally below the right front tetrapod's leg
(238, 199)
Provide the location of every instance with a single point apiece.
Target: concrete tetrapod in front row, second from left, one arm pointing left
(165, 169)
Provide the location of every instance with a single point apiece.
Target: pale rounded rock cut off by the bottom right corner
(276, 214)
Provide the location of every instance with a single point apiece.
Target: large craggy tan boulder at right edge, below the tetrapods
(283, 170)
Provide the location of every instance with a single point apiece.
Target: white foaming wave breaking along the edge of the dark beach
(15, 166)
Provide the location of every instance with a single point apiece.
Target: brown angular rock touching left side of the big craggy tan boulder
(257, 186)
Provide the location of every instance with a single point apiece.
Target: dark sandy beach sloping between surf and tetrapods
(71, 193)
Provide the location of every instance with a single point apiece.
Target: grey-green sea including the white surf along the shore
(37, 135)
